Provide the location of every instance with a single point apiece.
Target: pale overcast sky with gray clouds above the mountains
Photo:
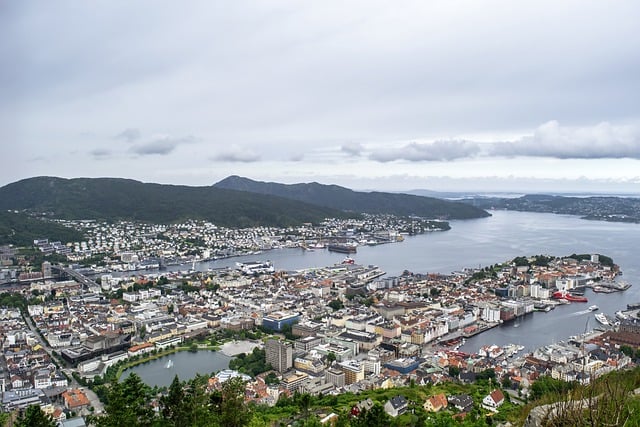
(387, 95)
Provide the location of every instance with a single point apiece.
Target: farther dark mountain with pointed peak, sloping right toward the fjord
(336, 197)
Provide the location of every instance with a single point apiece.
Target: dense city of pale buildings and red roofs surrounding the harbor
(344, 328)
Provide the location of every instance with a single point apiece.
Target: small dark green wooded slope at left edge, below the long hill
(21, 230)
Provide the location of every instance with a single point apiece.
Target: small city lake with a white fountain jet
(185, 364)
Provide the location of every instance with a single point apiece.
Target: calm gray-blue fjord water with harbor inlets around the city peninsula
(486, 241)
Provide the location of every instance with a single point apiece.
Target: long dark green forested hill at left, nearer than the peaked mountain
(122, 199)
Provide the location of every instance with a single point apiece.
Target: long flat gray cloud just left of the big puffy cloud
(430, 152)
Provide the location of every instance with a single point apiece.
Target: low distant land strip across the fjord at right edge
(622, 209)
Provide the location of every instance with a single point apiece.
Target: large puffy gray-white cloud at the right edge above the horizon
(602, 141)
